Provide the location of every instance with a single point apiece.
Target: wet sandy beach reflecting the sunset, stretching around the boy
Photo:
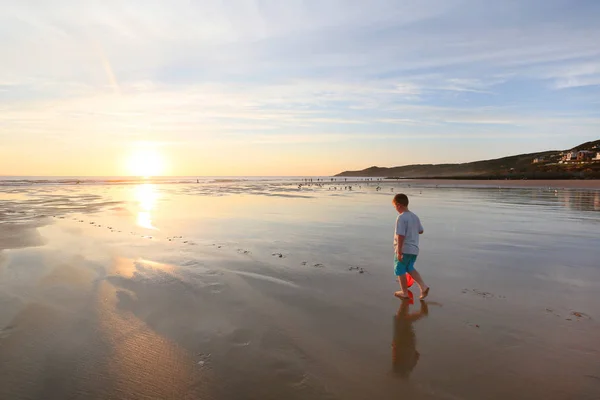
(267, 290)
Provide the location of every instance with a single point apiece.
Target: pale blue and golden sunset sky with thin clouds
(294, 87)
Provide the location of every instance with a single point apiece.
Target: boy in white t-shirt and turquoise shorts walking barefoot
(406, 246)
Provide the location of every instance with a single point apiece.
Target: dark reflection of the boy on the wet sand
(404, 352)
